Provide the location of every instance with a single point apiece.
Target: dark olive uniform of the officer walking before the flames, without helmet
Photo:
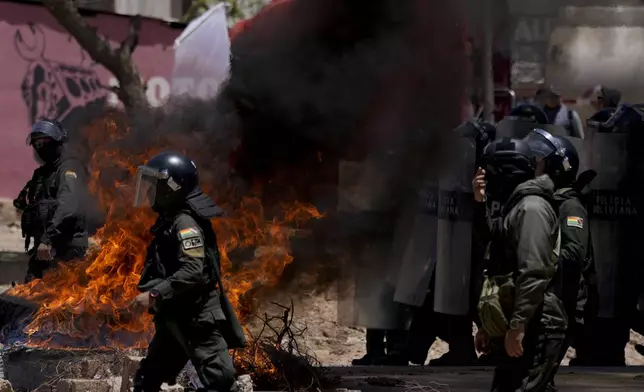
(193, 319)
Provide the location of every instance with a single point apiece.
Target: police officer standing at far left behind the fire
(53, 202)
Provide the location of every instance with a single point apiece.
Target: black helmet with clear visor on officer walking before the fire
(165, 181)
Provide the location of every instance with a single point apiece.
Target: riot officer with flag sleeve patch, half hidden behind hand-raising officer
(575, 256)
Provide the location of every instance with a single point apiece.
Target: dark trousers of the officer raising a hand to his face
(534, 369)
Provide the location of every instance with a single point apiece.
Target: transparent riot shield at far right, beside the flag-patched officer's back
(608, 209)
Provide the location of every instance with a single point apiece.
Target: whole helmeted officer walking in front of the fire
(181, 281)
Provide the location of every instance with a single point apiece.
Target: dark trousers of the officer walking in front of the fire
(166, 358)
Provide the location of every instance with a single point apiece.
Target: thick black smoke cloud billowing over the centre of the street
(316, 82)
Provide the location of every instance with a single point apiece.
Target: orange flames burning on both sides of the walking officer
(86, 304)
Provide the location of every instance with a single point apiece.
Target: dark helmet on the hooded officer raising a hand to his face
(507, 163)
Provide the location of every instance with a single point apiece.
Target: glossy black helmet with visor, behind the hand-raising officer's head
(560, 156)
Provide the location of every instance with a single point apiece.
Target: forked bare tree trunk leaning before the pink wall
(118, 61)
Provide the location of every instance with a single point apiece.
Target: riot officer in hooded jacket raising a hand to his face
(520, 313)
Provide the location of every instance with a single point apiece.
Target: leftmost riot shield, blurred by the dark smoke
(366, 287)
